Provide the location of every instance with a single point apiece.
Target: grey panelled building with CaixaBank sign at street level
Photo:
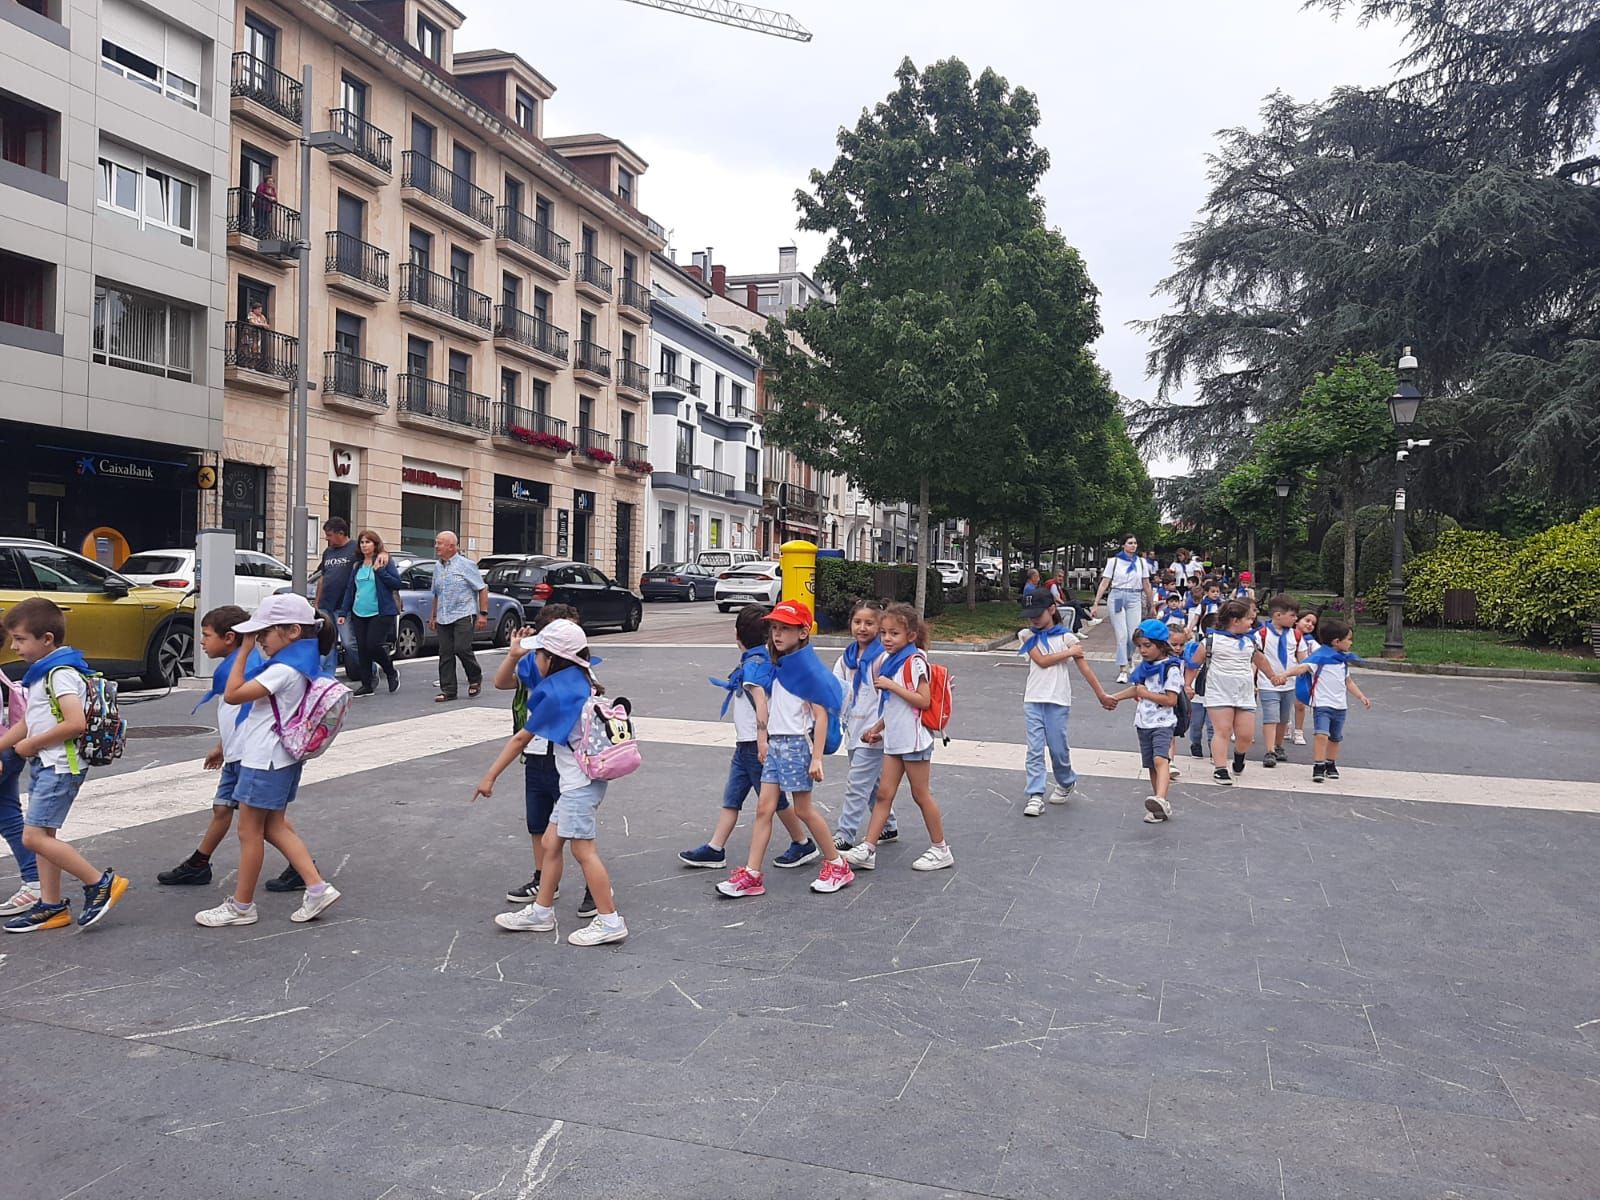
(113, 263)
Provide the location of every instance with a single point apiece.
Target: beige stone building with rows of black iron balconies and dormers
(481, 298)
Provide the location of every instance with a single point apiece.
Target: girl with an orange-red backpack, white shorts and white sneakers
(908, 743)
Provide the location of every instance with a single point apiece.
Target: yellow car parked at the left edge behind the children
(124, 630)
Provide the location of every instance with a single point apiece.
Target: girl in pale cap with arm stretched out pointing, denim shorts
(556, 713)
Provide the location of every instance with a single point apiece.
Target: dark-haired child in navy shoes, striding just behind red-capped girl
(748, 687)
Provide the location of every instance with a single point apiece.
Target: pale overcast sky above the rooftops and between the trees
(1130, 94)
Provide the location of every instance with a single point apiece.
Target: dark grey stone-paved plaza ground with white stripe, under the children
(1332, 994)
